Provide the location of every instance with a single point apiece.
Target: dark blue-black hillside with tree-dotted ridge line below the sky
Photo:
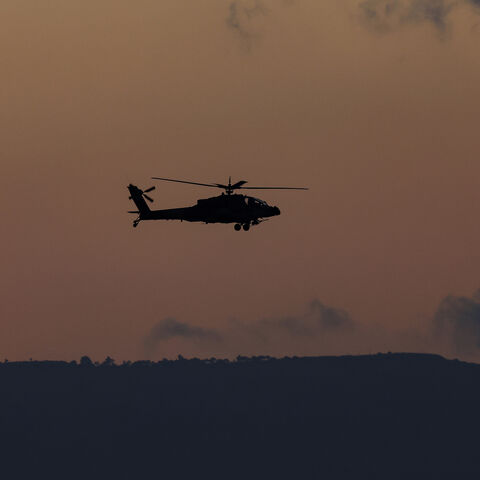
(379, 416)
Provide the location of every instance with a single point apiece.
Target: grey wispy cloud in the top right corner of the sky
(388, 15)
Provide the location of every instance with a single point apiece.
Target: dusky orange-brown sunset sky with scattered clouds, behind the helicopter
(371, 104)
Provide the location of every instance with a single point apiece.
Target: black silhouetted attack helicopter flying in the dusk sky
(229, 207)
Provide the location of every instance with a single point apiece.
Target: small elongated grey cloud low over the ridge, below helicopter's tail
(170, 328)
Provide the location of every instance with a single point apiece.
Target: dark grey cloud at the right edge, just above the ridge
(457, 319)
